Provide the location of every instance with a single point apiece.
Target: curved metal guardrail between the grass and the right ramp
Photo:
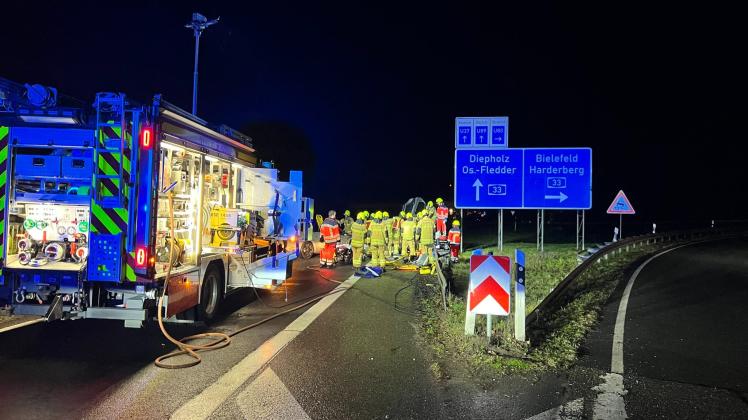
(602, 253)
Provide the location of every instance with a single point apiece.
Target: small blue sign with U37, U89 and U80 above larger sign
(490, 132)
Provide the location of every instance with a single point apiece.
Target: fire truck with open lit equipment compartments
(99, 202)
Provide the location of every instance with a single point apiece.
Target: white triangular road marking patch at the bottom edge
(268, 398)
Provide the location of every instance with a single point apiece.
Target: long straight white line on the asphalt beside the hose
(204, 404)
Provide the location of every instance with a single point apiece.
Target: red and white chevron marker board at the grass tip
(489, 285)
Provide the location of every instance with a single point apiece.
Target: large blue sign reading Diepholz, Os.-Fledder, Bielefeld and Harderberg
(523, 178)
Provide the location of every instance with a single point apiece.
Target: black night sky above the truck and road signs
(363, 98)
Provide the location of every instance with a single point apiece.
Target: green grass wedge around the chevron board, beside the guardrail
(564, 326)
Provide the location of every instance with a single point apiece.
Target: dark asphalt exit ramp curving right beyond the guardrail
(685, 344)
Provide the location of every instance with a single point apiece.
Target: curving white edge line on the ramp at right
(609, 403)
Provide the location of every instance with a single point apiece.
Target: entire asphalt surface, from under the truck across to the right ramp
(684, 355)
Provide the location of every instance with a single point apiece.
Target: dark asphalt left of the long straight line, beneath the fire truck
(99, 369)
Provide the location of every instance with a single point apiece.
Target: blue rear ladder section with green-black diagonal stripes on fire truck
(112, 186)
